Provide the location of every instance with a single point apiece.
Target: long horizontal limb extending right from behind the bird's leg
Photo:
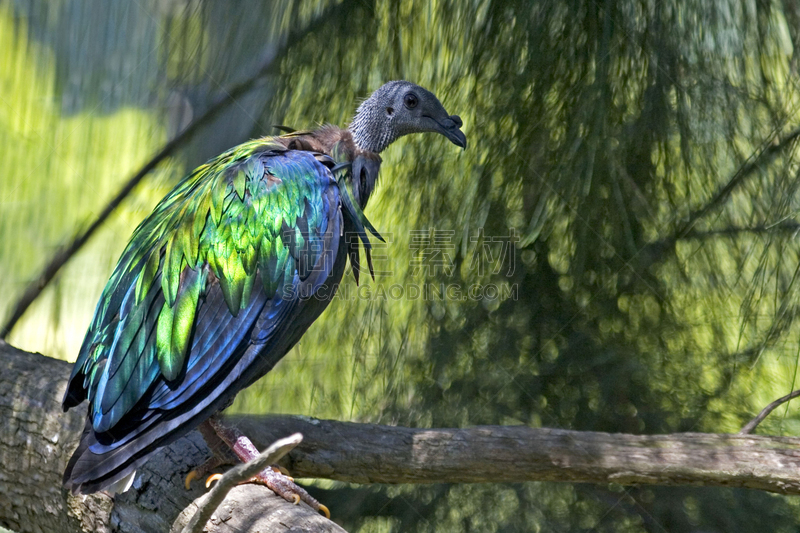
(367, 453)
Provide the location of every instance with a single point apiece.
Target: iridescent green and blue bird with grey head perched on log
(223, 278)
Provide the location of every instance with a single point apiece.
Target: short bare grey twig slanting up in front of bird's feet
(237, 475)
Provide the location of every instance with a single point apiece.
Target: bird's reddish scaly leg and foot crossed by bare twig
(280, 484)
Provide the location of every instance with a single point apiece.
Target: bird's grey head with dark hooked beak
(399, 108)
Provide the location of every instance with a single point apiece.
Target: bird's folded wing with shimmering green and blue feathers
(181, 304)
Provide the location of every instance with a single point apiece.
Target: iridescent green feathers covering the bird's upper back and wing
(224, 219)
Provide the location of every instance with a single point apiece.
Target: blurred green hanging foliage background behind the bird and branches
(627, 210)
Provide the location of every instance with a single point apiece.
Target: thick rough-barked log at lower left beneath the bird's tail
(37, 439)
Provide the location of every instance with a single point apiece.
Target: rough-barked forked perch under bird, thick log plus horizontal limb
(36, 439)
